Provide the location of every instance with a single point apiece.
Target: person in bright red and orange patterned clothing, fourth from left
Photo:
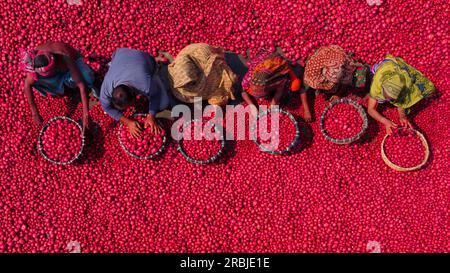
(267, 77)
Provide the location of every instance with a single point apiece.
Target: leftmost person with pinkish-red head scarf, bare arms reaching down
(53, 67)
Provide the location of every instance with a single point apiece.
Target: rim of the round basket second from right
(361, 112)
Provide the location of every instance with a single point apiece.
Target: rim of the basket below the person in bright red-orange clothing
(291, 146)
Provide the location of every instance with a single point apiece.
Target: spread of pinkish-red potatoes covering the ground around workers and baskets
(323, 198)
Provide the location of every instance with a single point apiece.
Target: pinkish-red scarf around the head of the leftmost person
(27, 63)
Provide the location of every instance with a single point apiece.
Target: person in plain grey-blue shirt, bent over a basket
(133, 73)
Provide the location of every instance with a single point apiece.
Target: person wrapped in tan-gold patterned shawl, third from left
(200, 70)
